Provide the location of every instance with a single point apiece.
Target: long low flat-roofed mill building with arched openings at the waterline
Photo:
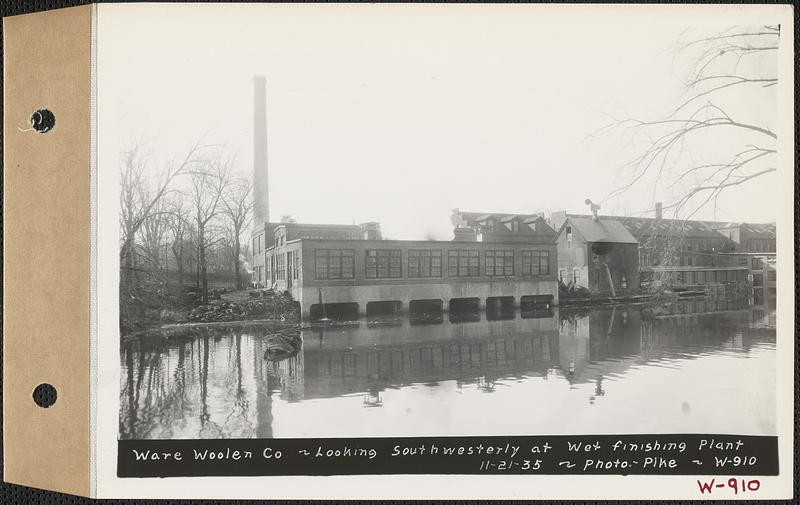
(361, 275)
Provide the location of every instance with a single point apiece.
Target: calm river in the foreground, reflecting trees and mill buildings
(705, 366)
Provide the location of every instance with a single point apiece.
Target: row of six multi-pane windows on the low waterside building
(332, 264)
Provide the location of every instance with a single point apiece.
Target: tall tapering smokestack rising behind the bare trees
(260, 170)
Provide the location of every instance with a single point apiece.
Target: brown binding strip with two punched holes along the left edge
(46, 218)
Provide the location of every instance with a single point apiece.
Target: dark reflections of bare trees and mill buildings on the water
(215, 383)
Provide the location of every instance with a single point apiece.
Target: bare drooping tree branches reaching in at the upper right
(735, 67)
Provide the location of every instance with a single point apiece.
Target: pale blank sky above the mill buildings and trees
(400, 113)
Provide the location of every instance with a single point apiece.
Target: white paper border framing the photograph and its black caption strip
(107, 377)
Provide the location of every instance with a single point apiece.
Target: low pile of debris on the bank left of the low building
(271, 306)
